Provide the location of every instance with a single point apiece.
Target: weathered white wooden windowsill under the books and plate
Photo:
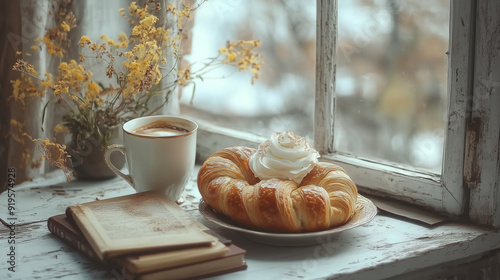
(385, 247)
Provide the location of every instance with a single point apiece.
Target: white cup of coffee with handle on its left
(157, 159)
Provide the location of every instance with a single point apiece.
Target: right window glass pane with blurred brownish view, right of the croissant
(391, 80)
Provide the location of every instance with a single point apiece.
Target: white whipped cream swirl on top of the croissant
(285, 156)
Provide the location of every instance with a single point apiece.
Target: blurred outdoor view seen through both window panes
(391, 74)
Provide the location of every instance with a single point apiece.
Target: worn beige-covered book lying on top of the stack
(137, 223)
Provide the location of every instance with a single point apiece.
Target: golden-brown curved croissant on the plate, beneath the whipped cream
(325, 198)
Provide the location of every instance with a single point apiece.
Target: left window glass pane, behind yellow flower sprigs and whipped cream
(283, 96)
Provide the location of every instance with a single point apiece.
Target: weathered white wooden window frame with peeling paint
(475, 192)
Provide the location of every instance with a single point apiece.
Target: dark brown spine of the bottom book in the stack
(72, 239)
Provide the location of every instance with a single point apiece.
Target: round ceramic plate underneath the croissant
(365, 212)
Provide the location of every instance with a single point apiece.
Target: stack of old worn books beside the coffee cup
(146, 236)
